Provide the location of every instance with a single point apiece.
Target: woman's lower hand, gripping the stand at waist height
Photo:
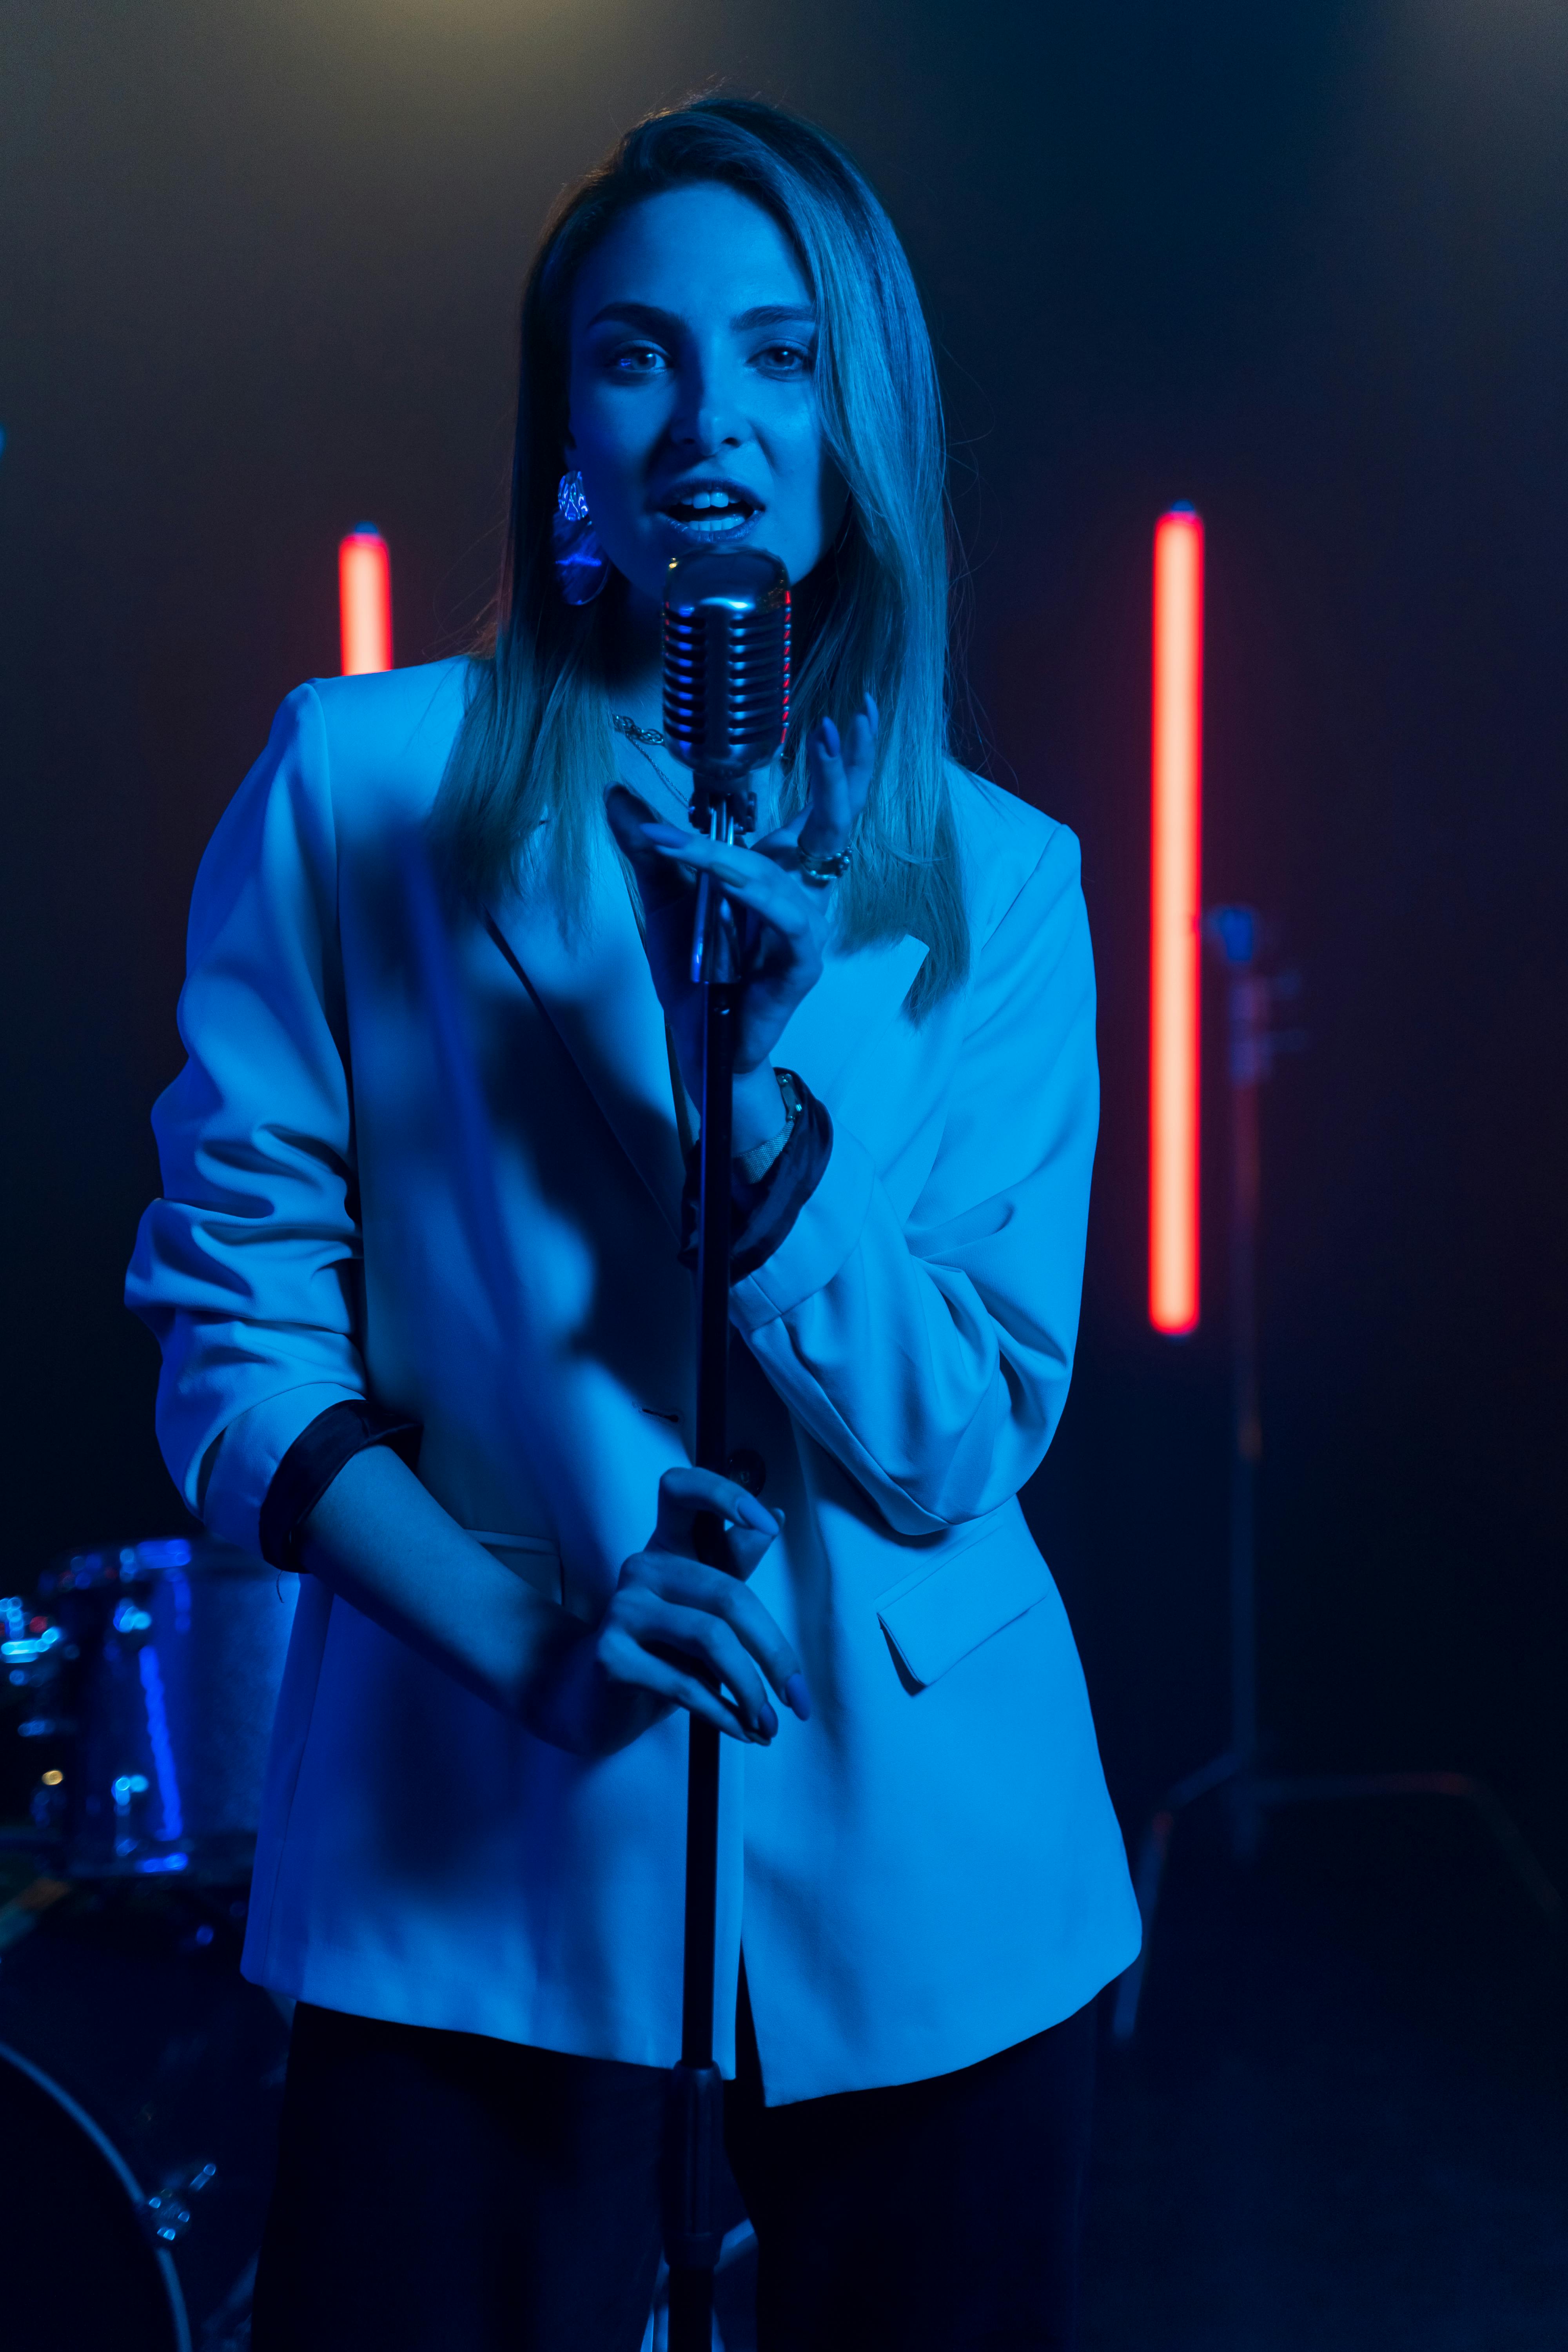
(676, 1636)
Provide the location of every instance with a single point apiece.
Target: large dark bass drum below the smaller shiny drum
(140, 2094)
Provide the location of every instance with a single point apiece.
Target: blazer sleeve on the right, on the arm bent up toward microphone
(932, 1356)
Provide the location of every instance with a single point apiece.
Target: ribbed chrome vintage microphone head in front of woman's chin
(728, 662)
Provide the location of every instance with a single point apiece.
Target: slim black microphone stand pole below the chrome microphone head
(695, 2123)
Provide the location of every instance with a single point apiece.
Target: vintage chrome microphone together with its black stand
(728, 704)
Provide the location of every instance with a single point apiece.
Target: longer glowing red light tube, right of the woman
(1177, 881)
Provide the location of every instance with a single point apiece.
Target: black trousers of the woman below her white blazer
(445, 2193)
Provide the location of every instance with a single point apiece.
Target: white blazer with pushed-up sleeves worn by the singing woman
(391, 1170)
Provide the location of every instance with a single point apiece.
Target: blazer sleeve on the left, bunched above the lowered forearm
(248, 1269)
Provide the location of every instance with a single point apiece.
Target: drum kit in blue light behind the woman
(140, 2076)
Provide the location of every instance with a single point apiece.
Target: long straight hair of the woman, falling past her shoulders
(523, 799)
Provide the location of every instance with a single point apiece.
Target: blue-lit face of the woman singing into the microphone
(695, 415)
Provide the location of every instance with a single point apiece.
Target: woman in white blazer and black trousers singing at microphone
(429, 1335)
